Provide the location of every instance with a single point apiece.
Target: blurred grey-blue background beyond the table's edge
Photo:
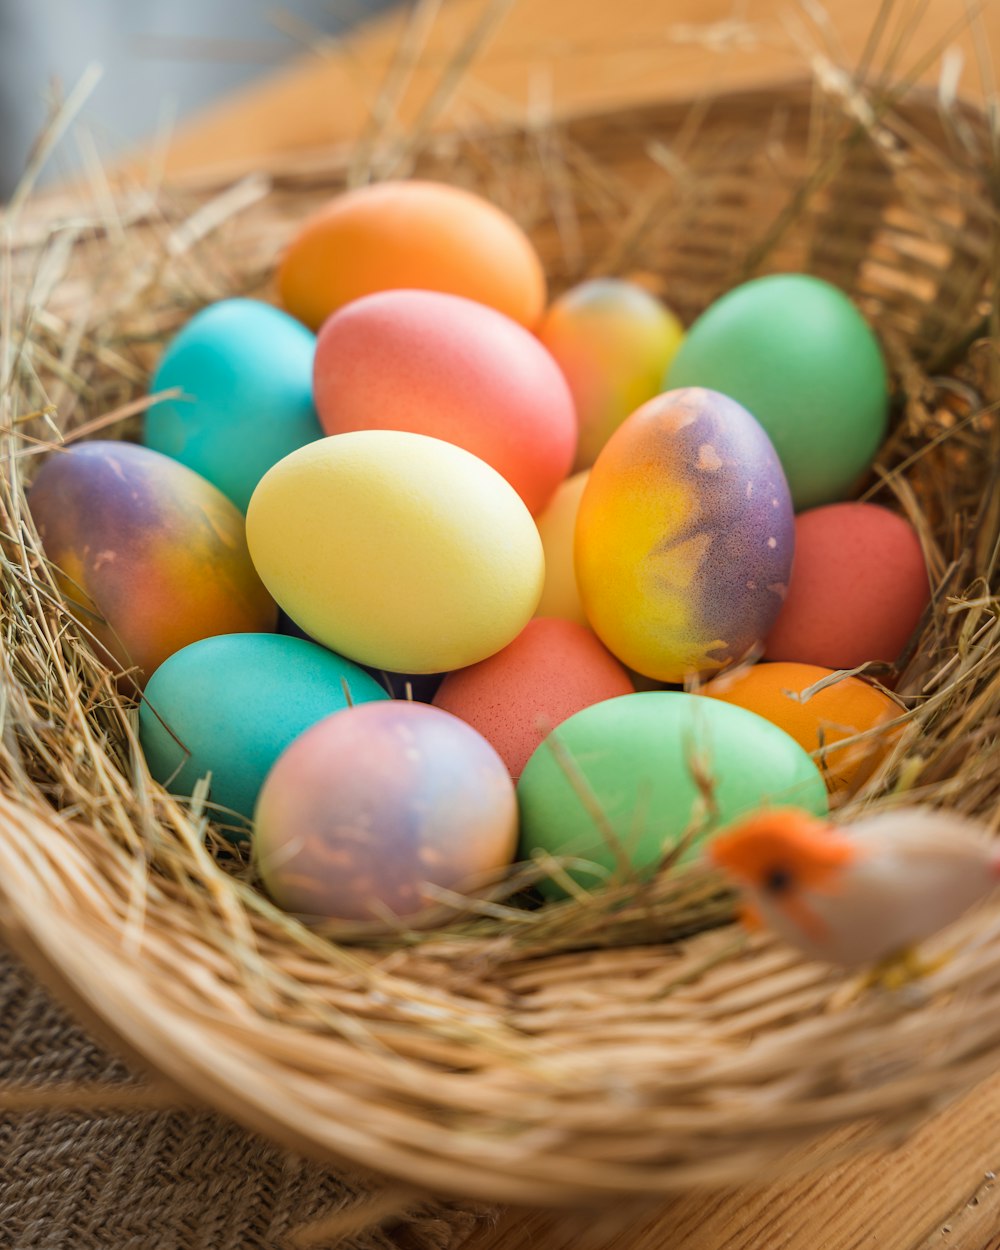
(161, 61)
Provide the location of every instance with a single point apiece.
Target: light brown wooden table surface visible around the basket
(566, 57)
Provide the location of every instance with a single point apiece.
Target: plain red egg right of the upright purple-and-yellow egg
(858, 589)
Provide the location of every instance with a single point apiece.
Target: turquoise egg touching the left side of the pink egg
(246, 374)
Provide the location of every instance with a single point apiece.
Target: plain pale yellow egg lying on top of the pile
(397, 551)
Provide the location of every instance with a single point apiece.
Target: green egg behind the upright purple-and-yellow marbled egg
(799, 356)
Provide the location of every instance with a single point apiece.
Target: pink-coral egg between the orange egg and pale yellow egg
(456, 371)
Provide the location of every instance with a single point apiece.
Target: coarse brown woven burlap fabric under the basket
(167, 1181)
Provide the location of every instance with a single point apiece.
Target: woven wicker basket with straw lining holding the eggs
(626, 1043)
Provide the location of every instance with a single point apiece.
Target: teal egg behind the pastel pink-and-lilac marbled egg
(229, 707)
